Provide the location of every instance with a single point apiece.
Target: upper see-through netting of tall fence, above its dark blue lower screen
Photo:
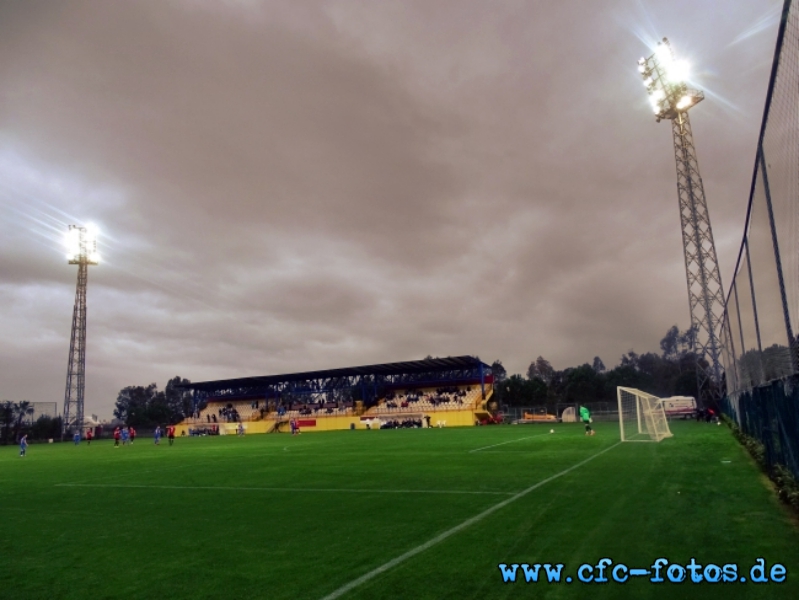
(762, 308)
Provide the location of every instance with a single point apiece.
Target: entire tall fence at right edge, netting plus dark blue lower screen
(761, 318)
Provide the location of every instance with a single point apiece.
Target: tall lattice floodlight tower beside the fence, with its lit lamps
(671, 98)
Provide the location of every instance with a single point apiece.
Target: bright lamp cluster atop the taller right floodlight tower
(665, 82)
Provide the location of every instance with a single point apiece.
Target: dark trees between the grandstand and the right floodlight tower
(670, 373)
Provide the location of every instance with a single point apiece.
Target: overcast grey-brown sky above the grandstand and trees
(287, 186)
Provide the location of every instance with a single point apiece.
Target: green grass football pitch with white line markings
(422, 513)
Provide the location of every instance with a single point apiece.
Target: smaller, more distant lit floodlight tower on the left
(82, 251)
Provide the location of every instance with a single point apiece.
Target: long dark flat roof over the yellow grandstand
(429, 365)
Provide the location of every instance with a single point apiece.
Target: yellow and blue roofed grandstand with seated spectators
(435, 392)
